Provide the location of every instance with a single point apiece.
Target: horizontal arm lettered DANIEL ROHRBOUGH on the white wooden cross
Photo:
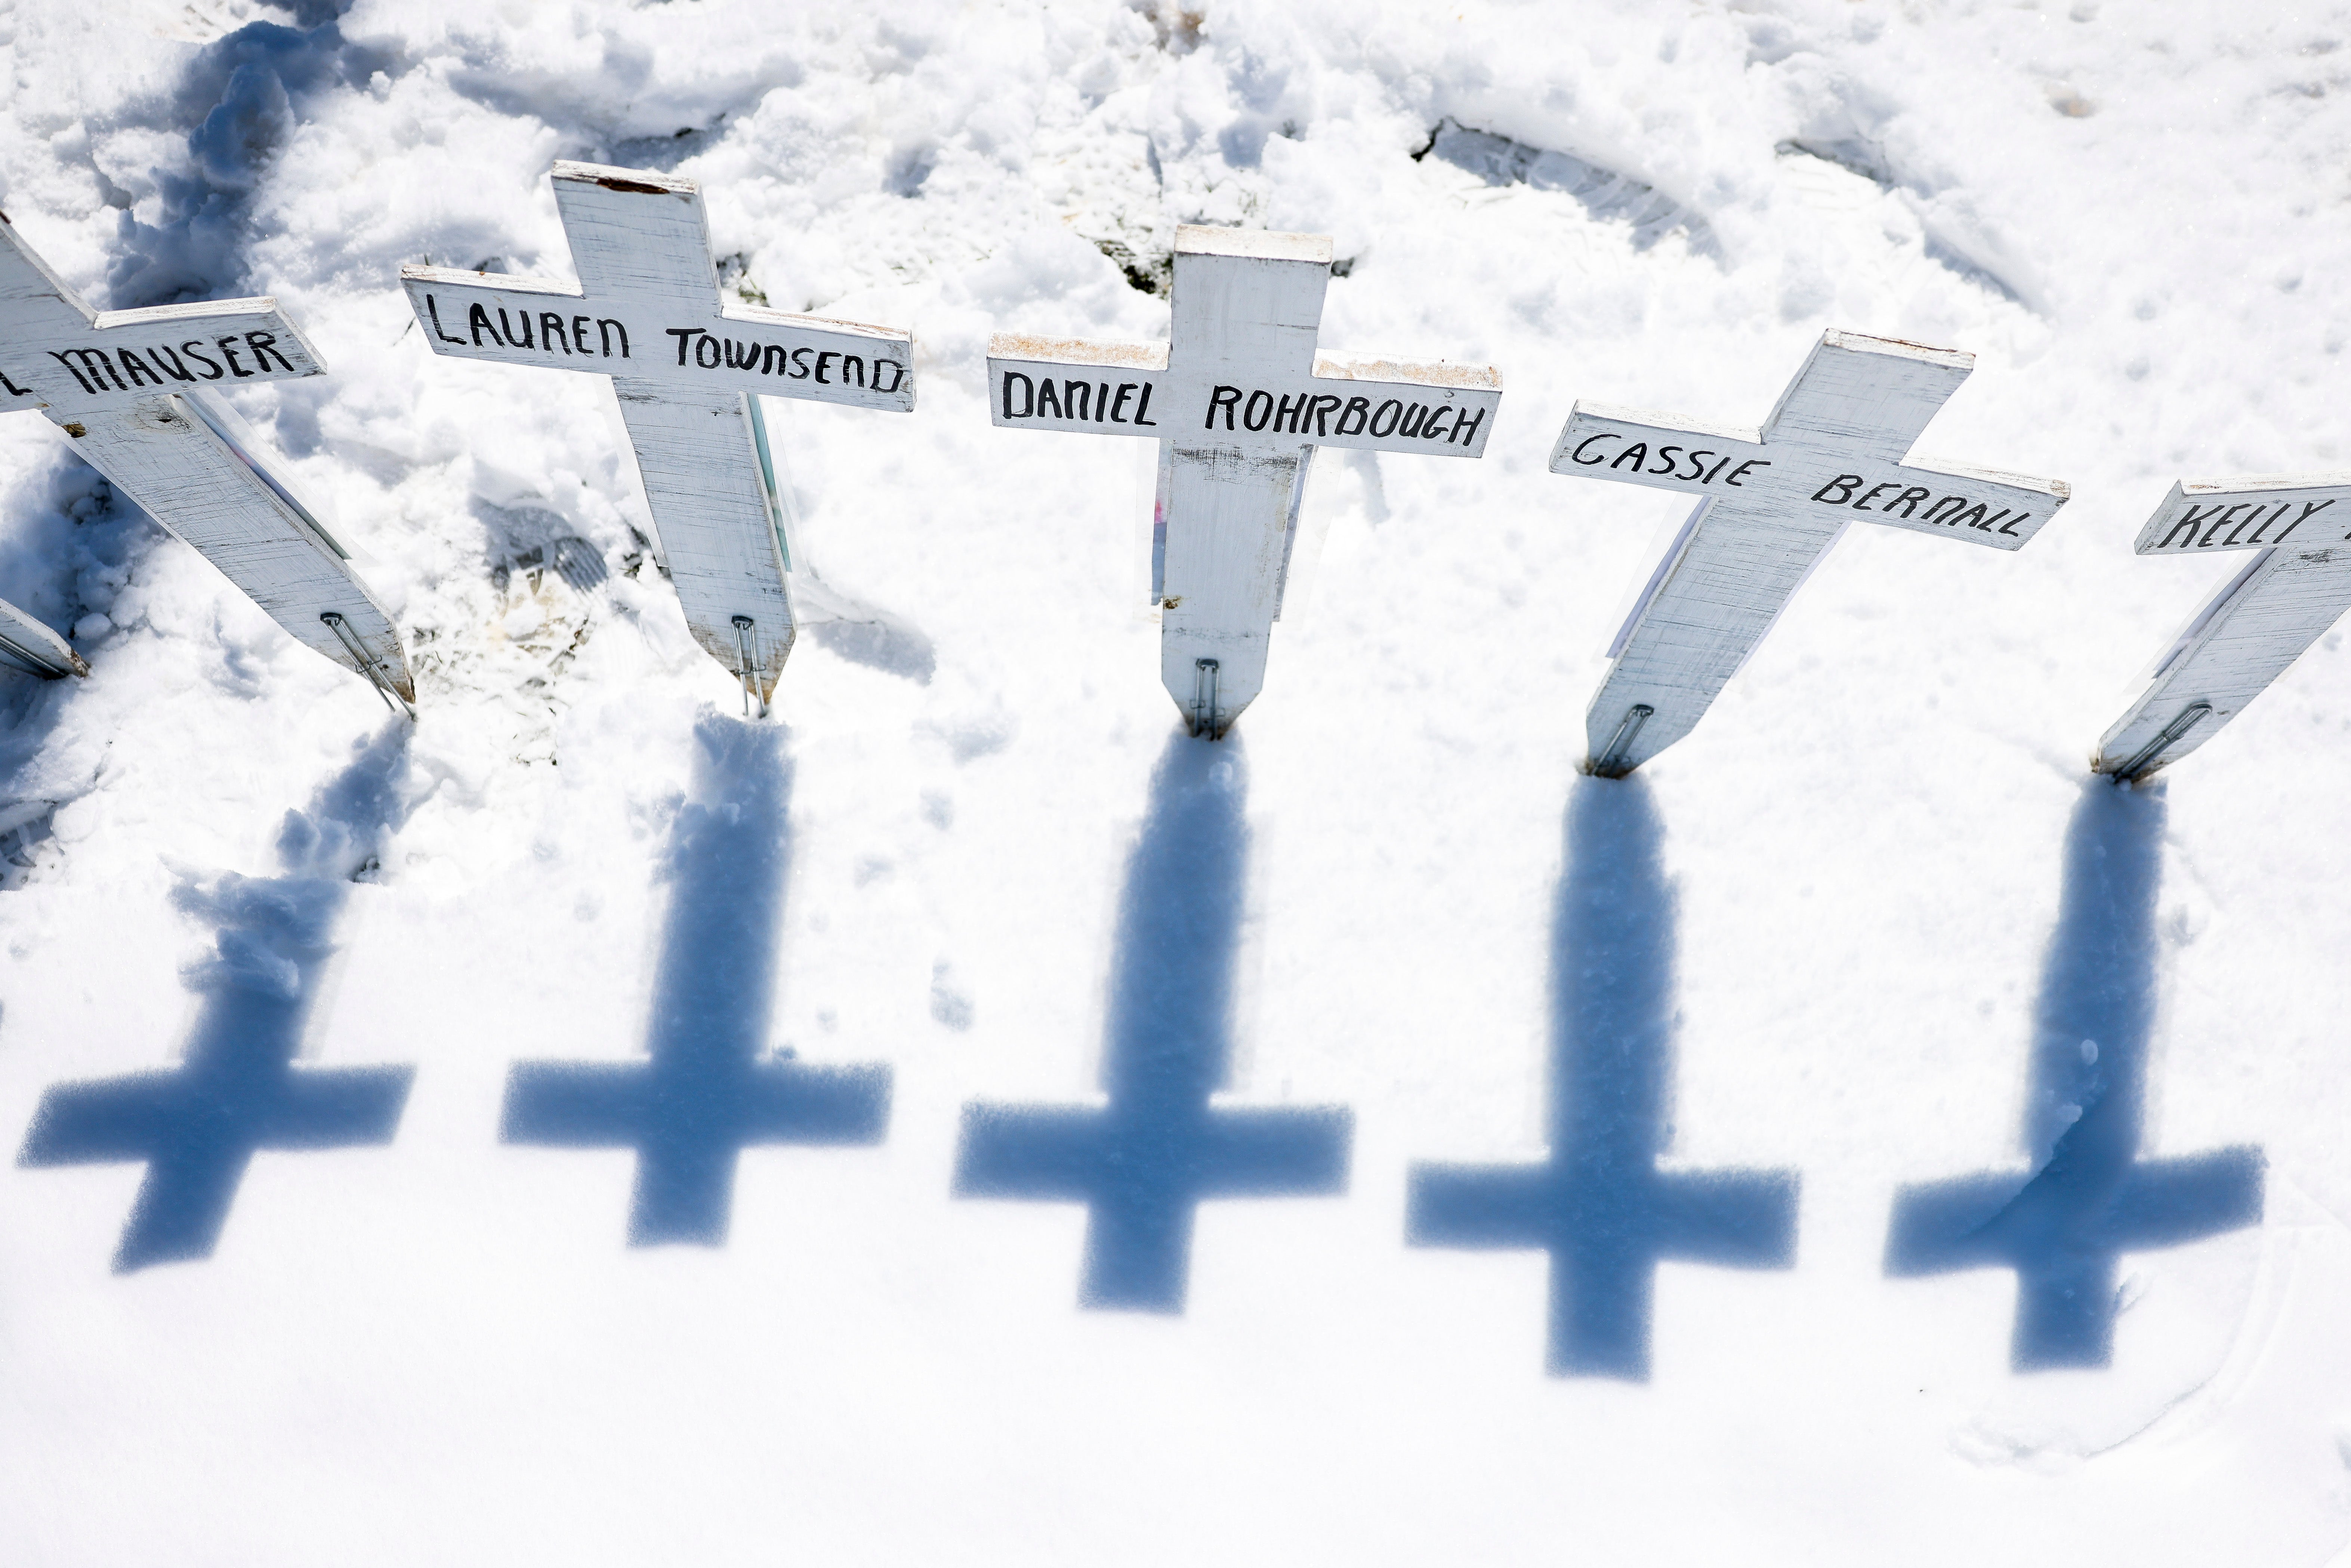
(1130, 389)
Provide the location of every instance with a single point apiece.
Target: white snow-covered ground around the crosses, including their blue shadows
(1866, 937)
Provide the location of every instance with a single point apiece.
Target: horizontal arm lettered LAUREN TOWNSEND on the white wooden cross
(530, 321)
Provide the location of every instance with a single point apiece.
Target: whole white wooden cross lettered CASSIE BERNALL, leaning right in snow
(1774, 504)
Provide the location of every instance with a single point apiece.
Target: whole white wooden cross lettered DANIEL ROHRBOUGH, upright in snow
(1238, 403)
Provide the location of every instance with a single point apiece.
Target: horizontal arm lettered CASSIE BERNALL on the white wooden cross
(1746, 474)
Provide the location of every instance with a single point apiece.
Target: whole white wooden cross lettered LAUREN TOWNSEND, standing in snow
(688, 373)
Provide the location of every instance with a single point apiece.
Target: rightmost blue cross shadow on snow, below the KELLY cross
(2087, 1198)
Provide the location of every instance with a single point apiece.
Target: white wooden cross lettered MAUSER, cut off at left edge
(138, 394)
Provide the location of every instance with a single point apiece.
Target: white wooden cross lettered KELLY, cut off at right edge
(2293, 589)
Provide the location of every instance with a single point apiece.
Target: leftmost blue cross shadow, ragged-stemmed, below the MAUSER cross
(239, 1092)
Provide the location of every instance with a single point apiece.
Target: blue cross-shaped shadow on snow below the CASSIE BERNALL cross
(1600, 1205)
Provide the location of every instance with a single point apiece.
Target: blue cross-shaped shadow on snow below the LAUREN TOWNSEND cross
(711, 1087)
